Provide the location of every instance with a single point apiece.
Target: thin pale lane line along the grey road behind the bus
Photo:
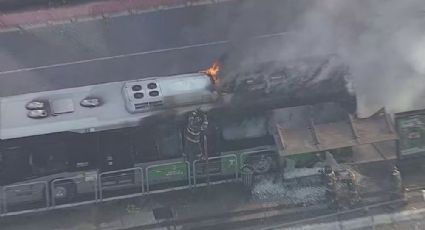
(141, 53)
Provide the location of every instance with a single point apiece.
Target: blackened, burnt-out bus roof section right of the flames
(278, 84)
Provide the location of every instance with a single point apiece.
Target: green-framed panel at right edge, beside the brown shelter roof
(411, 130)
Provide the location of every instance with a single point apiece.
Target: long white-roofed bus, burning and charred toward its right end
(131, 134)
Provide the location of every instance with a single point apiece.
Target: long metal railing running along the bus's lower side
(91, 187)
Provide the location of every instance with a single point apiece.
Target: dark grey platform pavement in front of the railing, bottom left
(196, 208)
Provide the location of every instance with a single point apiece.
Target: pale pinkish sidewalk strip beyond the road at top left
(91, 11)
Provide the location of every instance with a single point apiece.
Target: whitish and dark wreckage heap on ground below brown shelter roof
(327, 182)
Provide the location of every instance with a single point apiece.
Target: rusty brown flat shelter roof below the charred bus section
(332, 135)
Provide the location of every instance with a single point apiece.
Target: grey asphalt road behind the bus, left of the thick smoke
(136, 46)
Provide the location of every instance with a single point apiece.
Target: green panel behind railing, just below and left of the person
(167, 173)
